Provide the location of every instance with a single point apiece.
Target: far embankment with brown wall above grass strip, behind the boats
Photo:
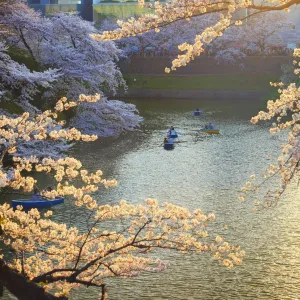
(201, 79)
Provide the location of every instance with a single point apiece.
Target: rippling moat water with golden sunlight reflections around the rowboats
(205, 171)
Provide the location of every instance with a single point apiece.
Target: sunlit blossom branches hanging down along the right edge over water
(285, 114)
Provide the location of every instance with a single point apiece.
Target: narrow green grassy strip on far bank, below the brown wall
(202, 82)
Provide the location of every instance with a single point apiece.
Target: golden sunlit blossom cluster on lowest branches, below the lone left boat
(51, 253)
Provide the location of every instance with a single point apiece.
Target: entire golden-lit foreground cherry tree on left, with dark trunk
(54, 258)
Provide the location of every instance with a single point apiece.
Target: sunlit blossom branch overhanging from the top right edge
(174, 11)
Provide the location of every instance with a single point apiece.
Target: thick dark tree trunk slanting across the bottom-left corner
(20, 287)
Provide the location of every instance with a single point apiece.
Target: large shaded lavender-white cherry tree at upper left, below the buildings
(63, 42)
